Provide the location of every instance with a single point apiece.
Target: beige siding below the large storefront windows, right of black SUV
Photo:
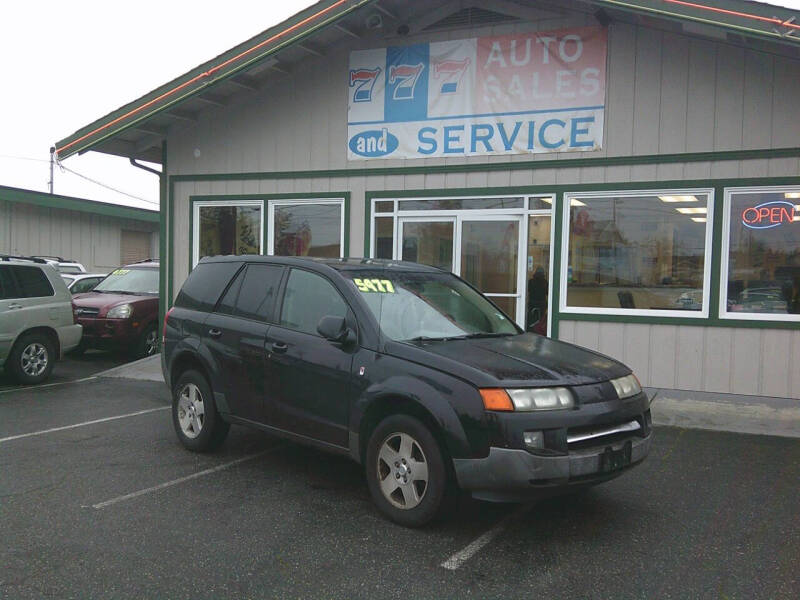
(711, 359)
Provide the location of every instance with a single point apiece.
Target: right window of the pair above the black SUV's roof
(308, 229)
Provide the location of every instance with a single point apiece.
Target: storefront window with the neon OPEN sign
(763, 254)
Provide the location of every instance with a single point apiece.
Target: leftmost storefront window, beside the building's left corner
(229, 229)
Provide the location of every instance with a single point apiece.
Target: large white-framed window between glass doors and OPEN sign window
(638, 252)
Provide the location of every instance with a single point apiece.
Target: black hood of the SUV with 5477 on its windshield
(523, 360)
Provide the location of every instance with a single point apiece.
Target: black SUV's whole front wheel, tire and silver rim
(406, 472)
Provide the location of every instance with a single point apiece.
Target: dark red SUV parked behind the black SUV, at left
(121, 312)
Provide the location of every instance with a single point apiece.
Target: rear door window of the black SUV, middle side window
(252, 295)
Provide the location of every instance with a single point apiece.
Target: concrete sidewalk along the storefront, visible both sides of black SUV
(674, 408)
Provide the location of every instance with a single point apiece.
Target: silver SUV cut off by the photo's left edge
(37, 324)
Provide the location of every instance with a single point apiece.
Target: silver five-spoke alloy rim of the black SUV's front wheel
(402, 471)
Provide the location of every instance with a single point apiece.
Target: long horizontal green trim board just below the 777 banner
(529, 165)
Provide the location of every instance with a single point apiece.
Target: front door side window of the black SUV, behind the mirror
(308, 298)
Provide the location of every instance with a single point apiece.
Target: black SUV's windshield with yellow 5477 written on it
(429, 306)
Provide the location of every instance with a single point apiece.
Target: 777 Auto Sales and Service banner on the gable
(528, 93)
